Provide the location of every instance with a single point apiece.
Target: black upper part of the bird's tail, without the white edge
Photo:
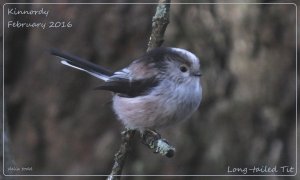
(76, 61)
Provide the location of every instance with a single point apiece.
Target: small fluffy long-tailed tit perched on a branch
(158, 89)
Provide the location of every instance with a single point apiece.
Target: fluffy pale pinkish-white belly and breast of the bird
(154, 111)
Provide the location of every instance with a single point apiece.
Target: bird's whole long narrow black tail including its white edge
(83, 65)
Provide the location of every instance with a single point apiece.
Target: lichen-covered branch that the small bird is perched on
(150, 138)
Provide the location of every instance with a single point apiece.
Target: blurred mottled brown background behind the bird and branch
(57, 124)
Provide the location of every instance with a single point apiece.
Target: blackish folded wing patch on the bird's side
(129, 89)
